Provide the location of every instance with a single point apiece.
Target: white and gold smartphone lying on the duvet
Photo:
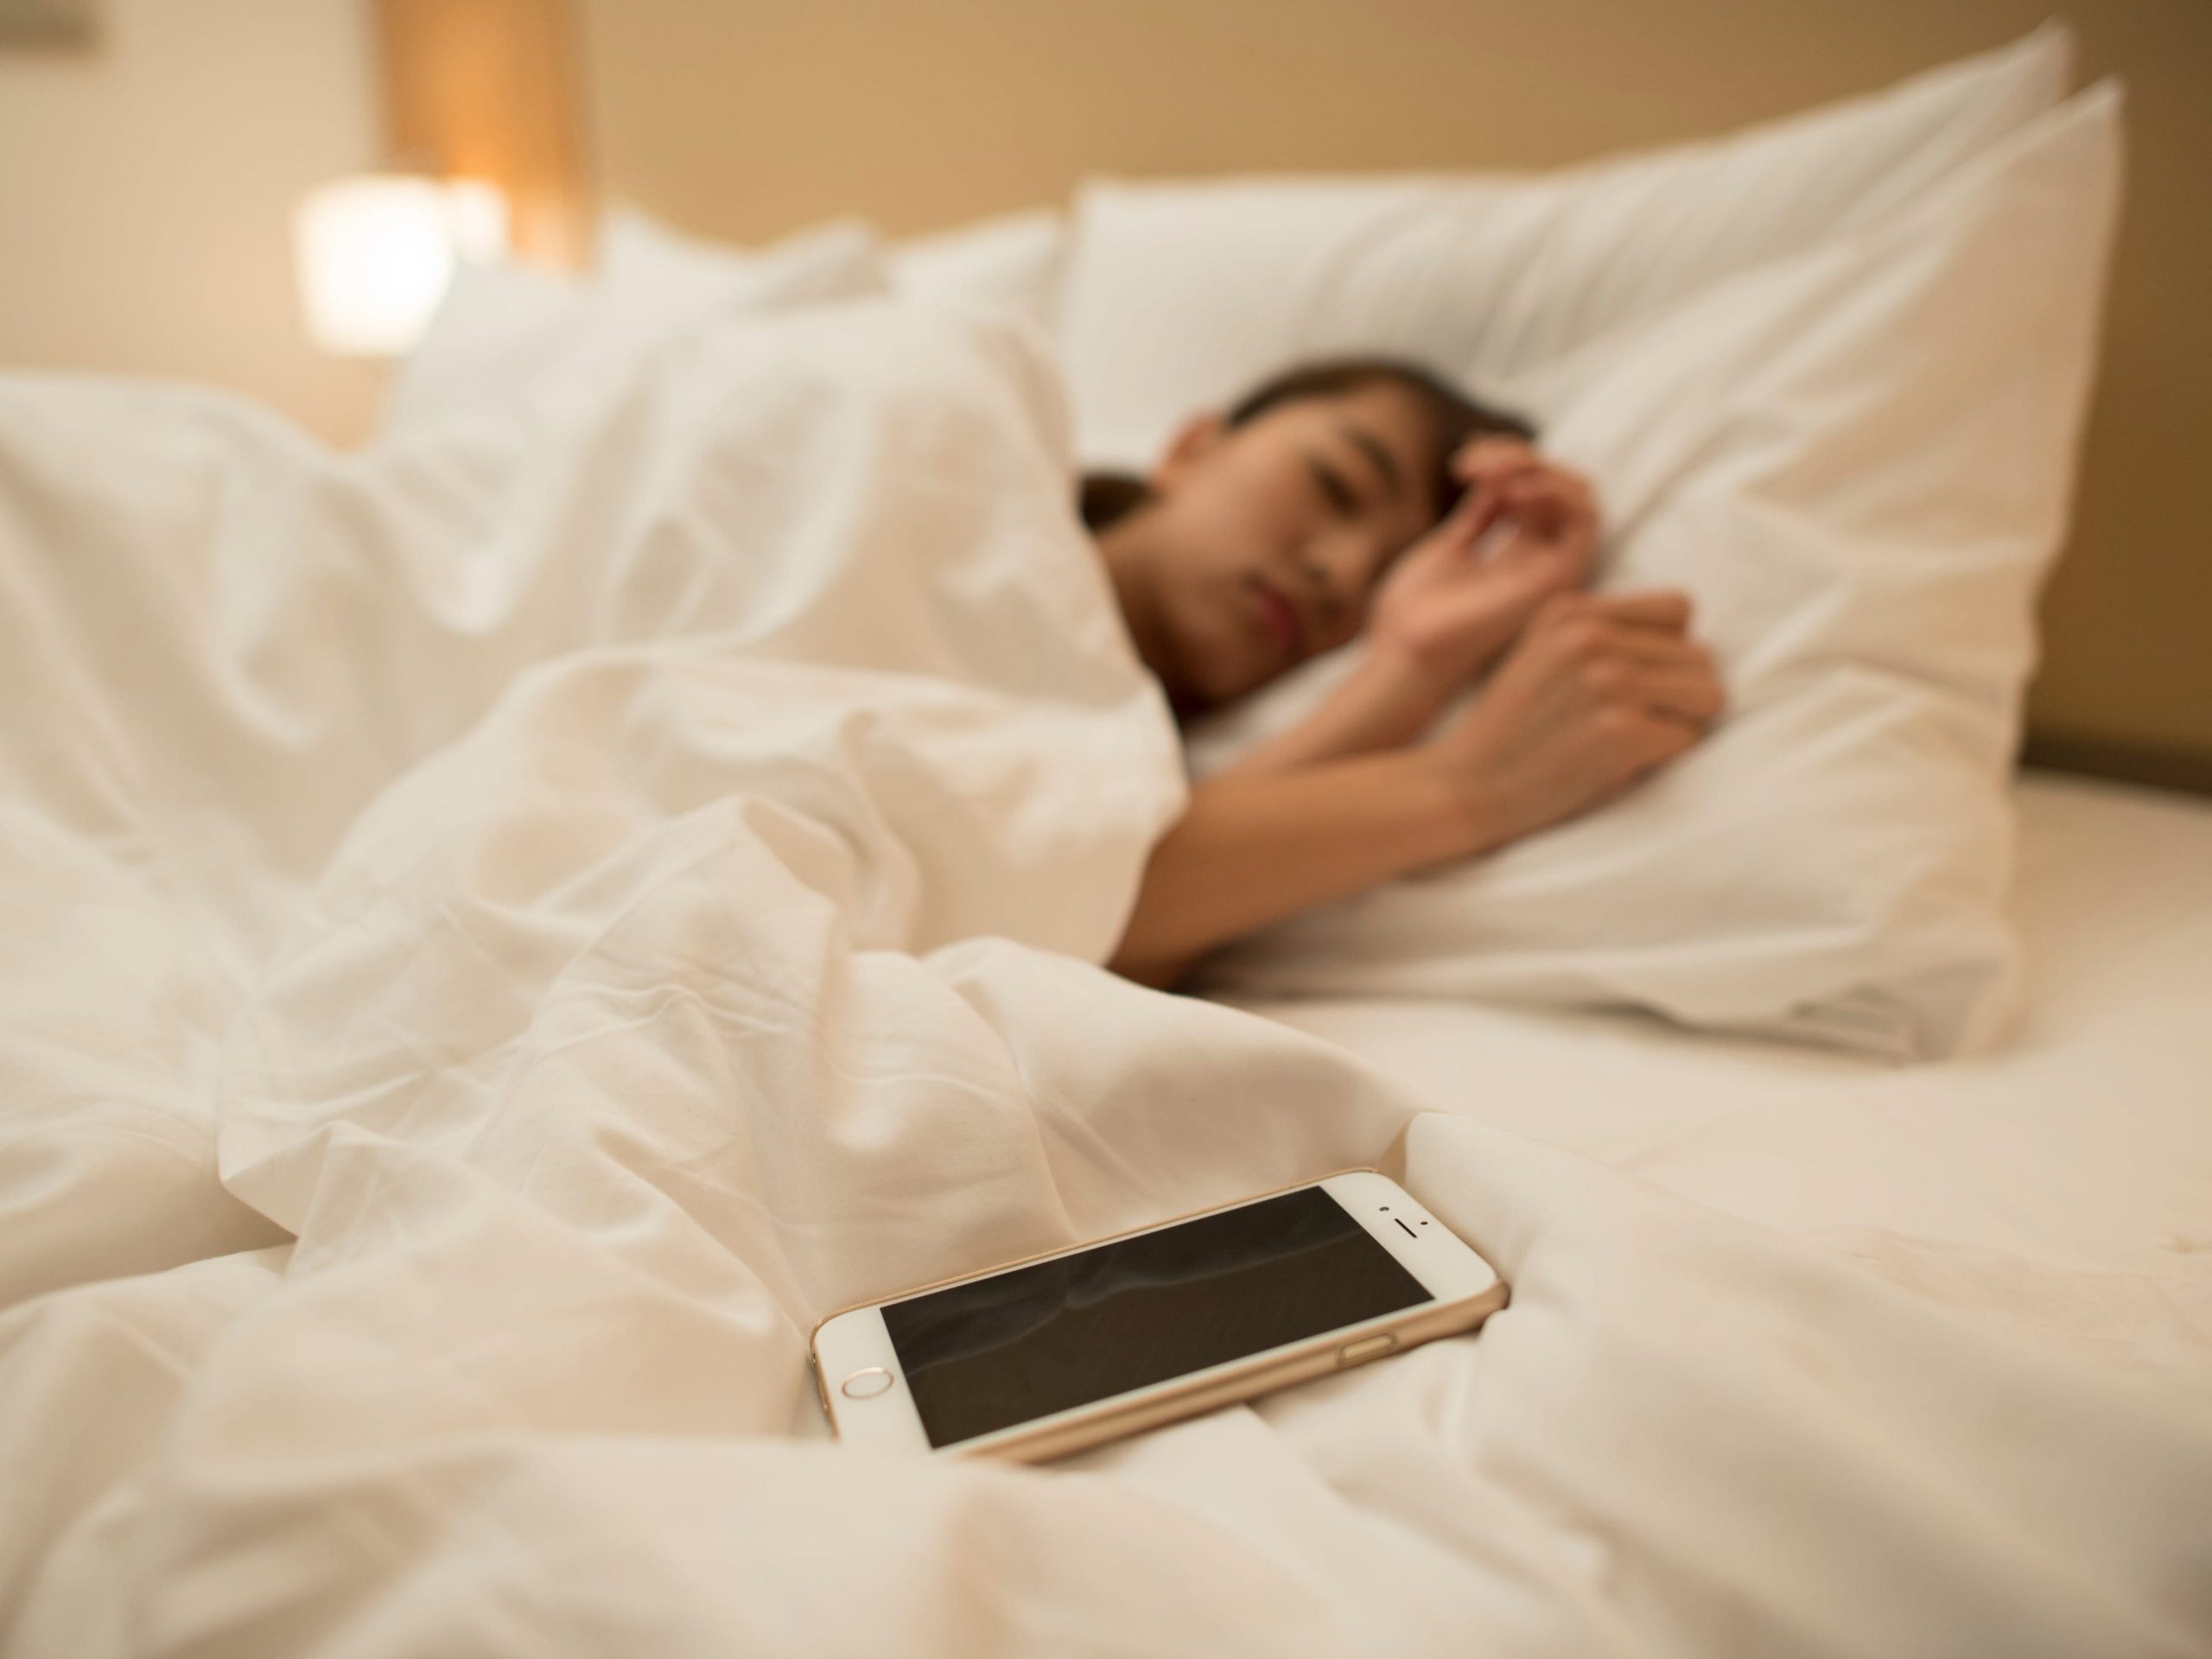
(1074, 1348)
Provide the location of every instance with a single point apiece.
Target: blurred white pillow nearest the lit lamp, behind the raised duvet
(510, 335)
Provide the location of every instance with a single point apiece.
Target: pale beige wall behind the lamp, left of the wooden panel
(147, 196)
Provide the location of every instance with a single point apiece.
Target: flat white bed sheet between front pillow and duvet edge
(2060, 1187)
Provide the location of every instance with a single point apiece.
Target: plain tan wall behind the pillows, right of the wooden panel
(747, 118)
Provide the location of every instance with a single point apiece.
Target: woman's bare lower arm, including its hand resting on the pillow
(1598, 693)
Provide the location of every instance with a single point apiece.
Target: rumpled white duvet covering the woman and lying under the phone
(508, 932)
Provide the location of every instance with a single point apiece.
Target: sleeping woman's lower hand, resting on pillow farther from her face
(1600, 691)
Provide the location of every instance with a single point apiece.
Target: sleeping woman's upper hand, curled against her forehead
(1452, 605)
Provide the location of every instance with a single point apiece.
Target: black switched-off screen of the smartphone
(1140, 1311)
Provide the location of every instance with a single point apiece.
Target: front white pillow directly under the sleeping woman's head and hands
(1859, 459)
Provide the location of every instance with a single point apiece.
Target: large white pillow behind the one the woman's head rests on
(1182, 295)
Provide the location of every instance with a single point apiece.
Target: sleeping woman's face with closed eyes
(1264, 543)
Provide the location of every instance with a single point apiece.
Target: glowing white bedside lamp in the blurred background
(377, 255)
